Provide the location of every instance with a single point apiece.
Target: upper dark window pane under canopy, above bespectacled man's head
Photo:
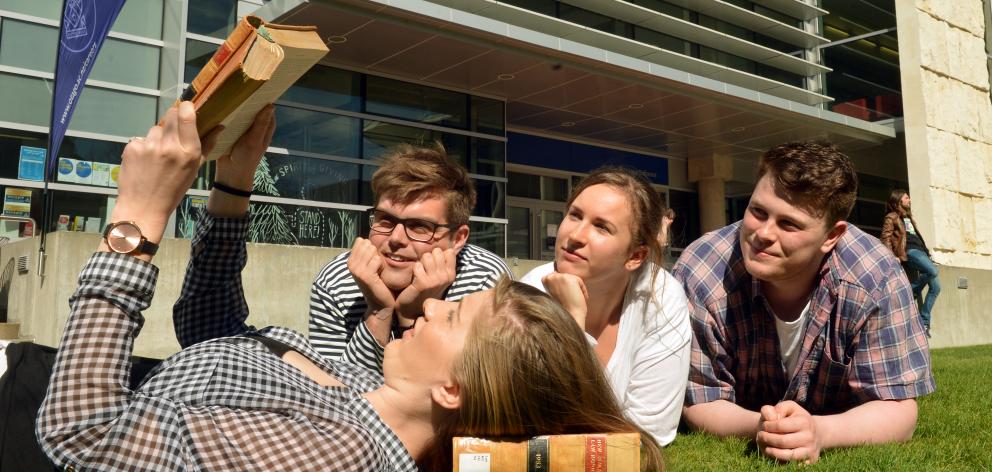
(416, 102)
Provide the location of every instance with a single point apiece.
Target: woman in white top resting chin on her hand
(607, 274)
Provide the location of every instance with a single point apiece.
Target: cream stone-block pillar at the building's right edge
(948, 123)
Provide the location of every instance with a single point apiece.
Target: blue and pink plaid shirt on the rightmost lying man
(864, 340)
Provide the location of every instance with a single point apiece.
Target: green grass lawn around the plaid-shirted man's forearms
(954, 432)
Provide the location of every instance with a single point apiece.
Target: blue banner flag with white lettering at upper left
(85, 24)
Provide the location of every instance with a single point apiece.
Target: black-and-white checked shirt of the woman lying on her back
(224, 404)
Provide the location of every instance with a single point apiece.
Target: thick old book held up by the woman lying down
(254, 66)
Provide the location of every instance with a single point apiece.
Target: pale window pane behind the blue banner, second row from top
(121, 62)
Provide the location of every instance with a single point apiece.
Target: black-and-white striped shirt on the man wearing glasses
(337, 306)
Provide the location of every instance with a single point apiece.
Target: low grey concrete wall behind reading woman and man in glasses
(276, 281)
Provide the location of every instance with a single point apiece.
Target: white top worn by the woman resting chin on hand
(649, 367)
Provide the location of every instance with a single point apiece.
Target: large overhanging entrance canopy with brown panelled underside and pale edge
(572, 96)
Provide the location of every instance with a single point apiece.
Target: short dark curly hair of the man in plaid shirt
(815, 175)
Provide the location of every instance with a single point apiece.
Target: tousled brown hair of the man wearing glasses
(412, 173)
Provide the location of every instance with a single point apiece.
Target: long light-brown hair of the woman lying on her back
(528, 370)
